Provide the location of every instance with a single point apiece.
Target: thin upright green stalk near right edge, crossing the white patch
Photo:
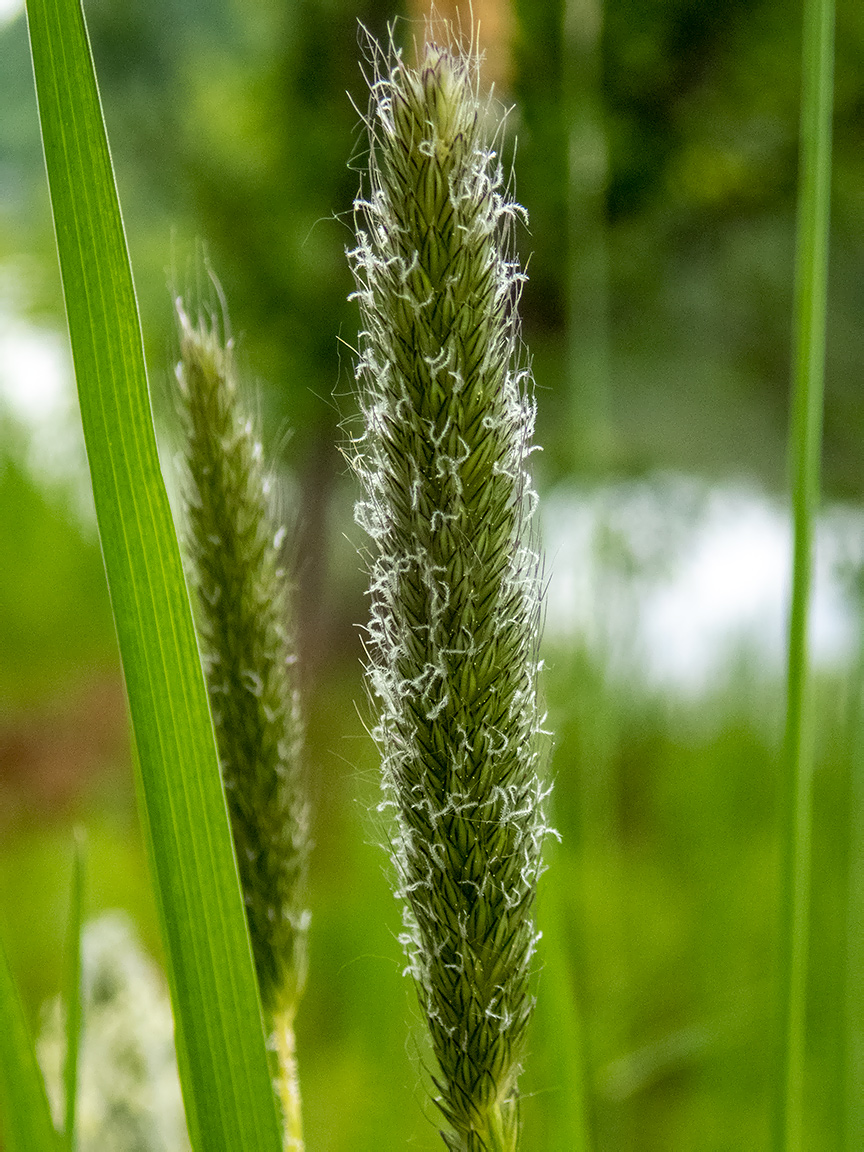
(806, 441)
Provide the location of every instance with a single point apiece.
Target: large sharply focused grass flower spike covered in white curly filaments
(456, 588)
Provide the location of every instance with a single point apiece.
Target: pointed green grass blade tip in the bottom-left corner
(27, 1117)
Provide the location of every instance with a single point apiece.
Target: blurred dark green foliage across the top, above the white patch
(232, 126)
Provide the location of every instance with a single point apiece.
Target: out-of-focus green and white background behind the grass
(657, 158)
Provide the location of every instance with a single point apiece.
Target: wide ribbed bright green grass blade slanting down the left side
(223, 1054)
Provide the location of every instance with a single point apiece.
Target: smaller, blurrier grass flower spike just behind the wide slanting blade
(251, 669)
